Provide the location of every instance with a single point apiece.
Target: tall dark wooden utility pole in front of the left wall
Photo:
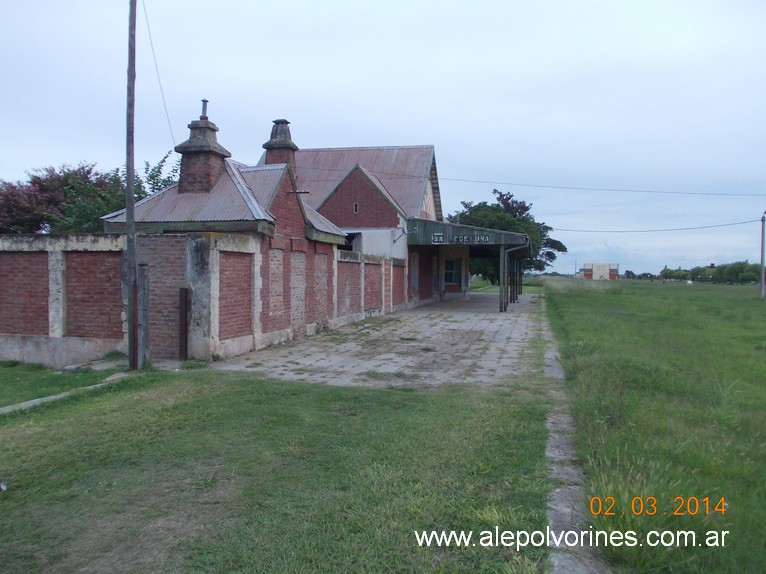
(130, 221)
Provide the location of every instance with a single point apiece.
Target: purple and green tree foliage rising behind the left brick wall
(72, 199)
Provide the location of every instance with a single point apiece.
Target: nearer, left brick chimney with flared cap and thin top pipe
(202, 157)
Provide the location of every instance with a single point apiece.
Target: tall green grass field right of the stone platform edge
(668, 390)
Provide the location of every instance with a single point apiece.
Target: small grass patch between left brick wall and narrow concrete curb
(20, 382)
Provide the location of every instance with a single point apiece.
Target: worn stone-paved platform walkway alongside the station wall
(449, 341)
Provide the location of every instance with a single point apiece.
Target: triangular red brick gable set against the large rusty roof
(373, 208)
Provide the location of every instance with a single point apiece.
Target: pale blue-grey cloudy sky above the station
(583, 108)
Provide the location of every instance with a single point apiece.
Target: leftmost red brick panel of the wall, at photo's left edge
(24, 293)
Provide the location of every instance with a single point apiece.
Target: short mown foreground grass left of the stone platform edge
(202, 471)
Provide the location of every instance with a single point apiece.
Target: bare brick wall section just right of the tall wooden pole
(166, 259)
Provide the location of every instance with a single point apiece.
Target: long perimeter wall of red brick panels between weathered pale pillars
(63, 299)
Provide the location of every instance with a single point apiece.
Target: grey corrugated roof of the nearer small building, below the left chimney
(233, 198)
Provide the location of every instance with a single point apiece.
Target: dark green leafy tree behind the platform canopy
(510, 214)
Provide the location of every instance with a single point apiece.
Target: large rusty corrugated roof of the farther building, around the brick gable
(404, 171)
